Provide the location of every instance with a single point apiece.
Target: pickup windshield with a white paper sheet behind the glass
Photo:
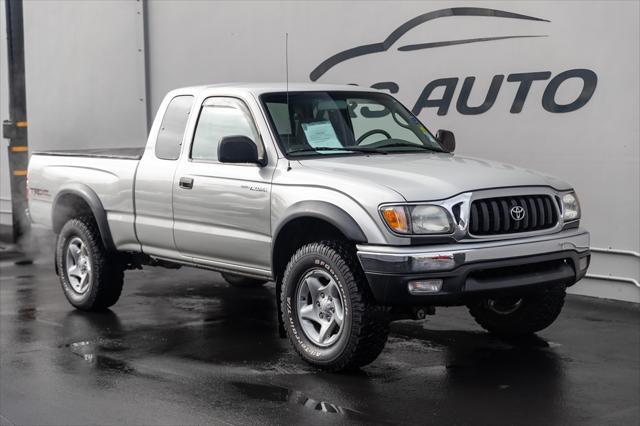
(344, 123)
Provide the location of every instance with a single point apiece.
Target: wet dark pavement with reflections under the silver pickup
(181, 347)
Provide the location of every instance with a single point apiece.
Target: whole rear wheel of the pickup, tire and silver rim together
(91, 279)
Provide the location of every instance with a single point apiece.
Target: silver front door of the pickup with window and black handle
(221, 210)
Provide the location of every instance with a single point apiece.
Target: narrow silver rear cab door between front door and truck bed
(154, 179)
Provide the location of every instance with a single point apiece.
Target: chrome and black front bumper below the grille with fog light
(469, 269)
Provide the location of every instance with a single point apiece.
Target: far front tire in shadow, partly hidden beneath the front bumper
(536, 312)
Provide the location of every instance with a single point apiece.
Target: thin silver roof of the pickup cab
(260, 88)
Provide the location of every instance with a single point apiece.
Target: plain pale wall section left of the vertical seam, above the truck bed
(85, 77)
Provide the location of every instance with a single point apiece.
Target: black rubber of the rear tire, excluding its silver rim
(107, 272)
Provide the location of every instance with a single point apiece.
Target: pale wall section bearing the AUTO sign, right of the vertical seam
(595, 147)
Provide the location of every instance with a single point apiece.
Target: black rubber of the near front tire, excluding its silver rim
(366, 323)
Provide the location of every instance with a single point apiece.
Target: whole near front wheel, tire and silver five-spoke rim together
(327, 311)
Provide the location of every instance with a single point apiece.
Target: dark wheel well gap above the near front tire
(297, 233)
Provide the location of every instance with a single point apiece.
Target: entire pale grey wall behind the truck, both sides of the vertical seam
(85, 79)
